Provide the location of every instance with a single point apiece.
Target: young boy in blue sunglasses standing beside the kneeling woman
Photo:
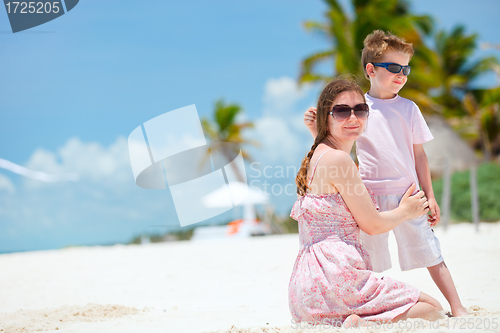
(391, 158)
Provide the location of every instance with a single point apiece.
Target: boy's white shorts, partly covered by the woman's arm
(418, 246)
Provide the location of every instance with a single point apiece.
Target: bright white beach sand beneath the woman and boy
(228, 286)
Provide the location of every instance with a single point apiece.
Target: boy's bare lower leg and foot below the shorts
(442, 278)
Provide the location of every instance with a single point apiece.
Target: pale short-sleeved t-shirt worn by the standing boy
(385, 149)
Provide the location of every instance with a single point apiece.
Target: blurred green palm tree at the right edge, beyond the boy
(473, 112)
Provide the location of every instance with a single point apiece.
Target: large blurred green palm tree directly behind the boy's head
(345, 36)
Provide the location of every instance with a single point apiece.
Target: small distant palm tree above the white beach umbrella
(225, 128)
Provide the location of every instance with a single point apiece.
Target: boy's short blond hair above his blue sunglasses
(379, 43)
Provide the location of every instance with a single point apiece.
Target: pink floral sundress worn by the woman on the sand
(332, 277)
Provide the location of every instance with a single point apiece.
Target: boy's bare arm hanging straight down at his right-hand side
(424, 178)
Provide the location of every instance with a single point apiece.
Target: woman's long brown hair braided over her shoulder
(325, 104)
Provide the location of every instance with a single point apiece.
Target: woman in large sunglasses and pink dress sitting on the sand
(332, 279)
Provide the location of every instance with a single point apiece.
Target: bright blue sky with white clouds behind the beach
(74, 88)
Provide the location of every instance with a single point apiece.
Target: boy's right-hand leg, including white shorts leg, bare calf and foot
(419, 247)
